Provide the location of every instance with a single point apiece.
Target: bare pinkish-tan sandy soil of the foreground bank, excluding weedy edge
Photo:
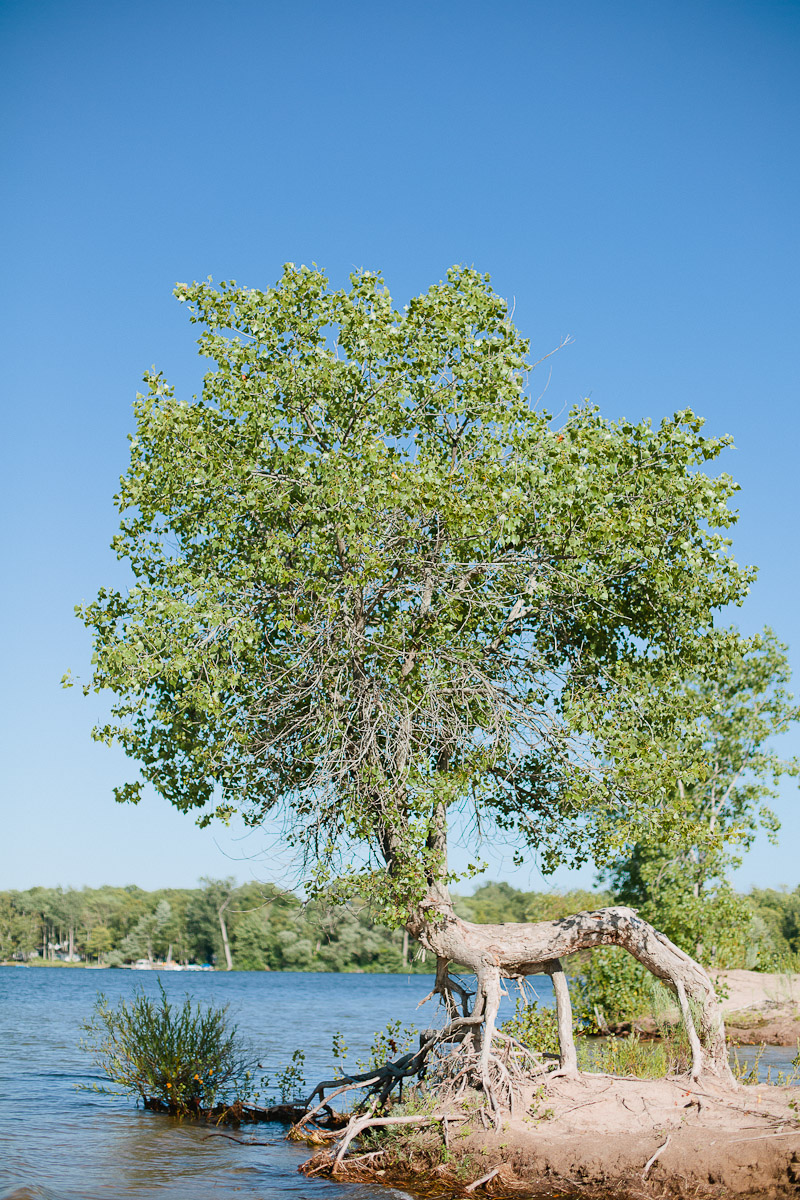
(604, 1132)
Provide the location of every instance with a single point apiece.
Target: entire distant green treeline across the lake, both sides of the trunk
(261, 927)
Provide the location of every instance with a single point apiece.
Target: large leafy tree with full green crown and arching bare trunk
(374, 585)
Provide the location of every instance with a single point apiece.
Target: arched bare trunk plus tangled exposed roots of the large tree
(471, 1053)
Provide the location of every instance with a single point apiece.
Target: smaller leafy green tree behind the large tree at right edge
(683, 886)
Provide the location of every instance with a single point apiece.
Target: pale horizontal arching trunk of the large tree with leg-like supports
(515, 951)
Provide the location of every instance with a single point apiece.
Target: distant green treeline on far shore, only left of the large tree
(252, 928)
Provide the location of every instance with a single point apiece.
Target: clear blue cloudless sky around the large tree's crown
(627, 172)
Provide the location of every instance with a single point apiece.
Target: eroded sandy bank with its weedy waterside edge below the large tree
(596, 1137)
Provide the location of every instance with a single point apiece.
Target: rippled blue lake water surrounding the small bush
(62, 1144)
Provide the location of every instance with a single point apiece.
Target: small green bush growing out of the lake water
(184, 1058)
